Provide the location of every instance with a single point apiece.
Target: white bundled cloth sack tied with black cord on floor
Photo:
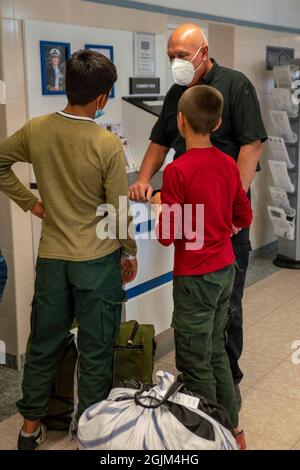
(133, 420)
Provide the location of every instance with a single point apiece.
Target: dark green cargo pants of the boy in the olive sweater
(92, 292)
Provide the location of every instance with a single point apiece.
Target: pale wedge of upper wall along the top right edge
(274, 12)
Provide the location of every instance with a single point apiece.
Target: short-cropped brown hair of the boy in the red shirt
(202, 106)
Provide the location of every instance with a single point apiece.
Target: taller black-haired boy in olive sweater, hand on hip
(78, 167)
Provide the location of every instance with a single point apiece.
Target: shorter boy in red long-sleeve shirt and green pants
(203, 202)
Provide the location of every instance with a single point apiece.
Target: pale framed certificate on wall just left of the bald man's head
(144, 55)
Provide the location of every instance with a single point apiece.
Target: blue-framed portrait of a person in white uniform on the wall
(53, 66)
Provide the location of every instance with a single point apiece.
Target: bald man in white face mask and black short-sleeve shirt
(241, 136)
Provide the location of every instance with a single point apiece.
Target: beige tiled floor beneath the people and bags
(271, 389)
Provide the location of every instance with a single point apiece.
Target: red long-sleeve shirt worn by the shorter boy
(202, 182)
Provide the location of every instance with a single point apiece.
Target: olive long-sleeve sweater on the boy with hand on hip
(78, 167)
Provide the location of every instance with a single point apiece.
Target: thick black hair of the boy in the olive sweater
(88, 74)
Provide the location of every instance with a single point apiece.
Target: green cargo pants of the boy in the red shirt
(200, 320)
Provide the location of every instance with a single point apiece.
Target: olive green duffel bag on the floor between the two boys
(134, 353)
